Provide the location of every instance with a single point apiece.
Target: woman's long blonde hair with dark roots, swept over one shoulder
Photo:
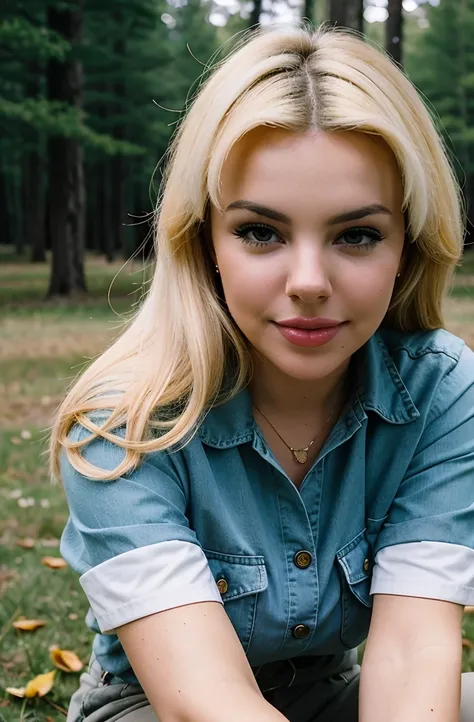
(170, 364)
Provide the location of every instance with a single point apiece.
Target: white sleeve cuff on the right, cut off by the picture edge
(432, 570)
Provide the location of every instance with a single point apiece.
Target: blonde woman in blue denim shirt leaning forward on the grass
(274, 461)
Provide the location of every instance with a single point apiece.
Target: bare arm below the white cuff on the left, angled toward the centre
(192, 667)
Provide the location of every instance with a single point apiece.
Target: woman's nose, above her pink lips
(308, 275)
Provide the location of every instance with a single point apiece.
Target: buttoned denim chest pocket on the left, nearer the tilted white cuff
(240, 579)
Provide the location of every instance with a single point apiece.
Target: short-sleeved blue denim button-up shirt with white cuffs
(387, 507)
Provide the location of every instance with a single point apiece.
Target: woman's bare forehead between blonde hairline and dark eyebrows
(324, 170)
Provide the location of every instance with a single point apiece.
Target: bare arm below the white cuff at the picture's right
(411, 670)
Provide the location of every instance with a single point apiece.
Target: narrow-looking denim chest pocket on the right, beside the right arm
(355, 568)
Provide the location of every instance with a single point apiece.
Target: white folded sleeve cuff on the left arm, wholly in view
(147, 580)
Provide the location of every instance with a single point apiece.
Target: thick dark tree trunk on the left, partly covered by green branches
(66, 164)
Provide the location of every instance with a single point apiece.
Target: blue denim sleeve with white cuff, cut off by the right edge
(426, 545)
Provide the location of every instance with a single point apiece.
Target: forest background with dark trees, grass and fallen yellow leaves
(90, 94)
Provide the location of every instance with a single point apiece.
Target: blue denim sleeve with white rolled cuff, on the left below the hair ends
(130, 539)
